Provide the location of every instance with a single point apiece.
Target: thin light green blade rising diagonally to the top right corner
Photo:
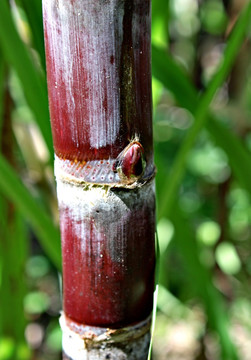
(201, 111)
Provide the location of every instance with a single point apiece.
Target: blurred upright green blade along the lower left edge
(13, 246)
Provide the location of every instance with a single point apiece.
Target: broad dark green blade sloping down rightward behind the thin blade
(185, 94)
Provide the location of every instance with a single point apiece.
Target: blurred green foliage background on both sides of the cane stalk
(202, 109)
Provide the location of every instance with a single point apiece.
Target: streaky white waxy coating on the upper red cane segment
(68, 42)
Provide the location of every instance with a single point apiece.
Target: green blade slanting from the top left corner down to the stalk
(33, 83)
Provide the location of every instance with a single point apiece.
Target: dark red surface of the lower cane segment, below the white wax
(103, 286)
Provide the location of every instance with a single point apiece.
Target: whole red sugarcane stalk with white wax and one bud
(99, 84)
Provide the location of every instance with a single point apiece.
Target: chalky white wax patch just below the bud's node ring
(106, 207)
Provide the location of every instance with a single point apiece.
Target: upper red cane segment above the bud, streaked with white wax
(130, 99)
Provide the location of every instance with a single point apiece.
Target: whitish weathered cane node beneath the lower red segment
(129, 343)
